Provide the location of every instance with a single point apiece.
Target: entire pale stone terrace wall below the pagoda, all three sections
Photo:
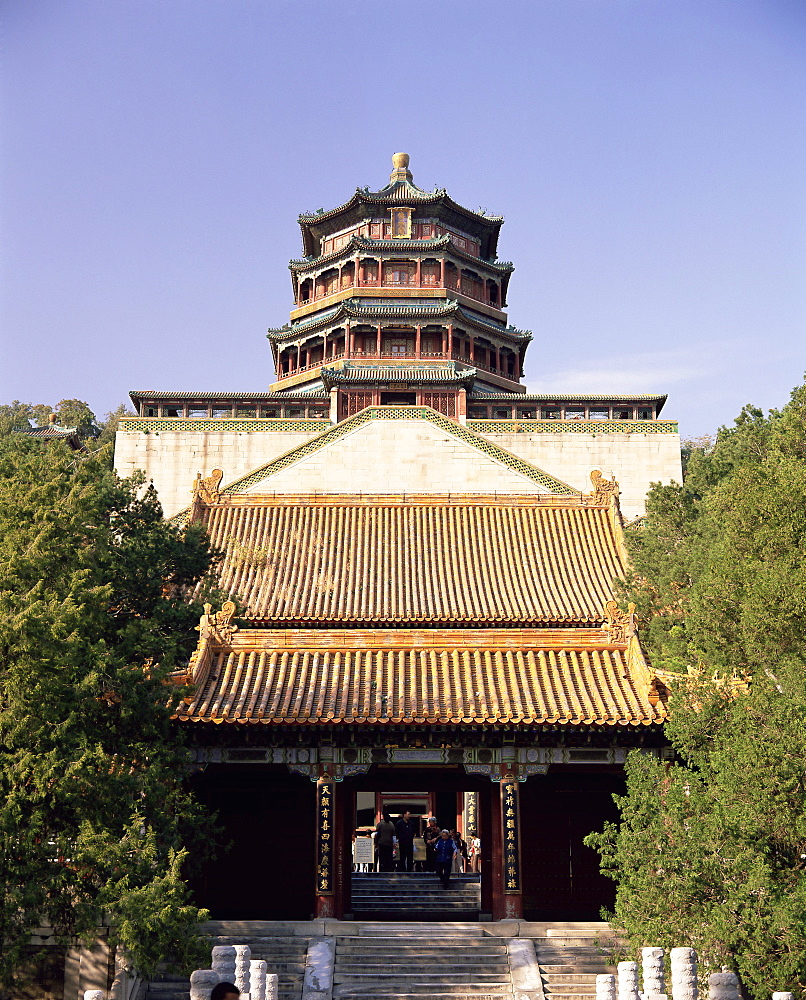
(398, 456)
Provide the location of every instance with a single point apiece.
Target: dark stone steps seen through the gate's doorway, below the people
(415, 895)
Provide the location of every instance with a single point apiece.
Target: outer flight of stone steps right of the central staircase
(571, 956)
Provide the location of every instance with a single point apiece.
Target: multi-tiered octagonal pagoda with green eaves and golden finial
(399, 300)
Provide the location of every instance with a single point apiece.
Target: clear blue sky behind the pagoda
(648, 155)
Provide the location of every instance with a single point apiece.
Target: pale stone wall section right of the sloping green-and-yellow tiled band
(636, 460)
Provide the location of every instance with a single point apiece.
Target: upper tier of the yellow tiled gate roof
(490, 559)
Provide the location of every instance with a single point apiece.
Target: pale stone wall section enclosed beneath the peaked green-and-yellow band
(398, 456)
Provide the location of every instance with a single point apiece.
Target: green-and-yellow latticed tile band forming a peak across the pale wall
(494, 451)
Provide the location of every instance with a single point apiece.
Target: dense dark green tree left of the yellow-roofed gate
(95, 825)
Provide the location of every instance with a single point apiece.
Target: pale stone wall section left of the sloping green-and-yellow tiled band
(172, 458)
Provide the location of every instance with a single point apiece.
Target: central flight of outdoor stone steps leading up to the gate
(417, 961)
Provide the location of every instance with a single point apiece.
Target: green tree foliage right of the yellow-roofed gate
(711, 849)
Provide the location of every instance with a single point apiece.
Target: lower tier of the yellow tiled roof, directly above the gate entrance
(561, 677)
